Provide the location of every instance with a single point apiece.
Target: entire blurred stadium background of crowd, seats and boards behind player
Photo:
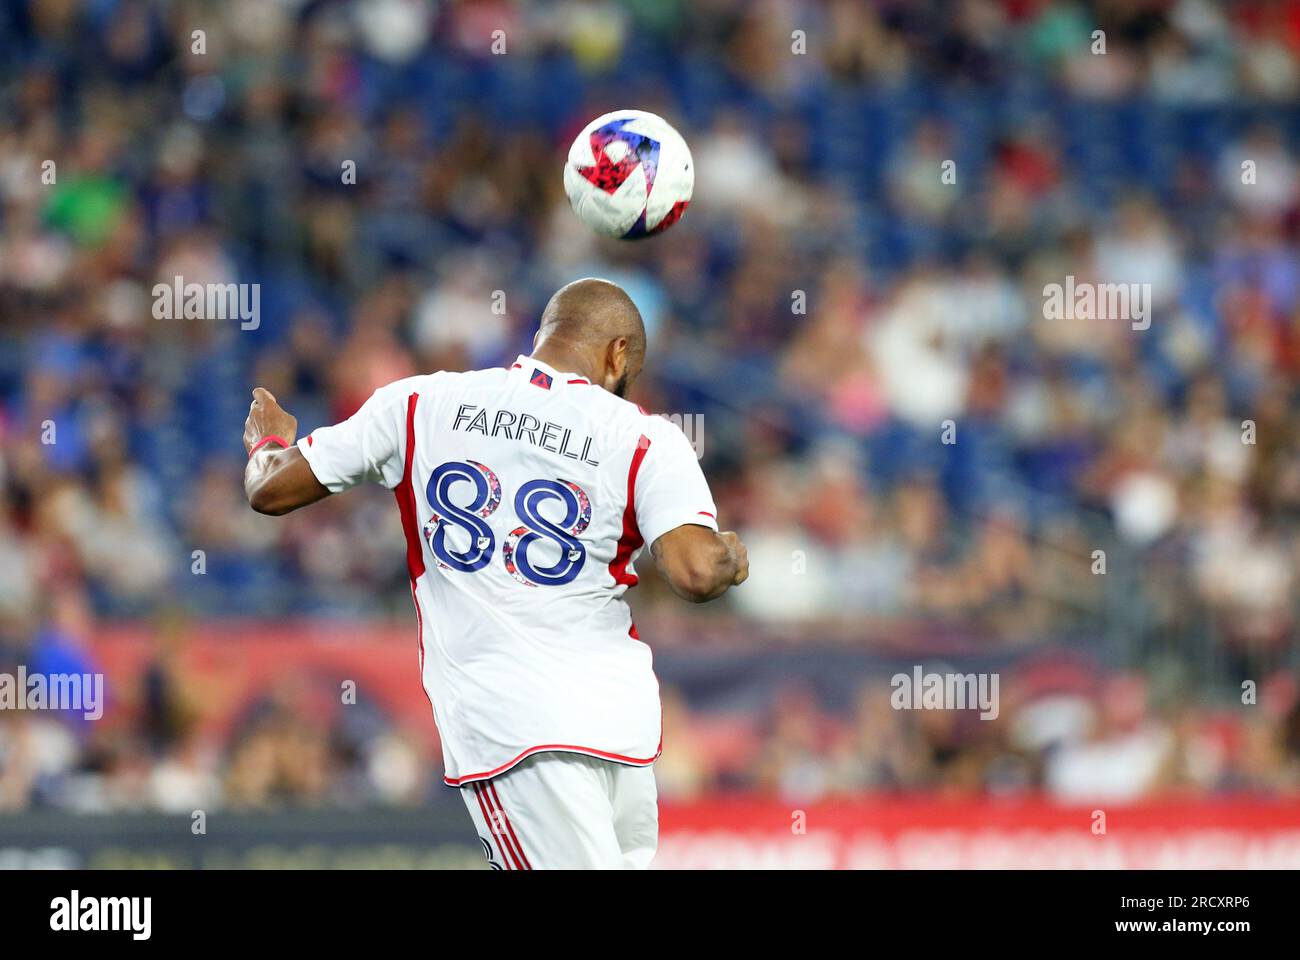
(825, 306)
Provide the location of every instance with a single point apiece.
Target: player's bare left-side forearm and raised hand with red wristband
(278, 478)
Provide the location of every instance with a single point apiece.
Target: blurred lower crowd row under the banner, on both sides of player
(1071, 736)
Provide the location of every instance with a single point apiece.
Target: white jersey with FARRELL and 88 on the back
(526, 496)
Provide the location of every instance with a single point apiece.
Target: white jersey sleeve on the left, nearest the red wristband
(366, 448)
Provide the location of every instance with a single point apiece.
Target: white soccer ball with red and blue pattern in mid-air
(630, 175)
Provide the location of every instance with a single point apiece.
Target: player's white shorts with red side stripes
(567, 811)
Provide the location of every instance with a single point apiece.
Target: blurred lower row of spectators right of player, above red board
(1103, 741)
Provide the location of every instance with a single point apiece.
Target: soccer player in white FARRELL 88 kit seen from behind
(527, 495)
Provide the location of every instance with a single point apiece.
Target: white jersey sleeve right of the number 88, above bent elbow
(671, 490)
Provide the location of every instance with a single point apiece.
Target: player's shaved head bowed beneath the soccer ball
(593, 327)
